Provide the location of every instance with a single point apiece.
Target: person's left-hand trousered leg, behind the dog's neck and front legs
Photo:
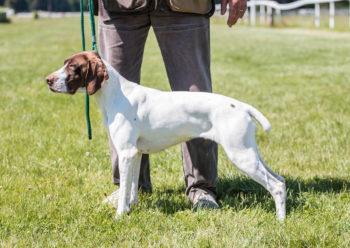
(121, 43)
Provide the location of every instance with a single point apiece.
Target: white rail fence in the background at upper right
(270, 5)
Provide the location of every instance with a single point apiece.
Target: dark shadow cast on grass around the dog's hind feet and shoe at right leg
(242, 192)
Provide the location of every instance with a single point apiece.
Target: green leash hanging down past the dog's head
(94, 47)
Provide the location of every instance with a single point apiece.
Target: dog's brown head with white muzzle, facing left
(84, 69)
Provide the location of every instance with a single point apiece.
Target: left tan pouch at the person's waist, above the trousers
(126, 6)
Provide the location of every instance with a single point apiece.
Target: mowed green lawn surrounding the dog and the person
(53, 178)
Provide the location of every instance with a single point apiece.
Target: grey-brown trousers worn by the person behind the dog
(185, 46)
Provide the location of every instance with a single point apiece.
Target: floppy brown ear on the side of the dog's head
(97, 73)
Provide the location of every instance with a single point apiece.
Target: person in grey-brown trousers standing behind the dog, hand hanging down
(182, 31)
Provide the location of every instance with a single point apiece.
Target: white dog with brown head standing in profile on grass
(144, 120)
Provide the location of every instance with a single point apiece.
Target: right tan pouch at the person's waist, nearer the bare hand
(191, 6)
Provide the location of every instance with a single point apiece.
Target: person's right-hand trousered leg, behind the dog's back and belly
(185, 45)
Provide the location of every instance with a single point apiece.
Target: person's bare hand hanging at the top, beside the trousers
(237, 9)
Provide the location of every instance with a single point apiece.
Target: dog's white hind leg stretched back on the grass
(248, 160)
